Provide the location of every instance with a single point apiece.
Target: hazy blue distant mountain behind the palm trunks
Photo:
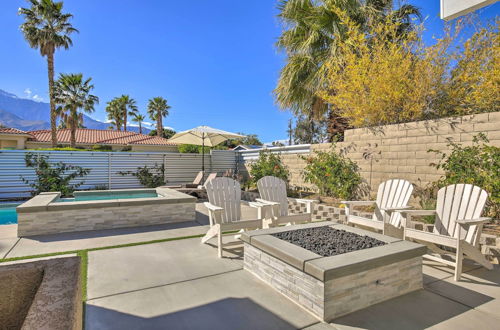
(30, 115)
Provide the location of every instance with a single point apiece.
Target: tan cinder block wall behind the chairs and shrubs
(401, 150)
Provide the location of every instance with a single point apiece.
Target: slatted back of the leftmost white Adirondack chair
(225, 193)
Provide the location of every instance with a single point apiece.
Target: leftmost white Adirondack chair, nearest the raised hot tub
(224, 207)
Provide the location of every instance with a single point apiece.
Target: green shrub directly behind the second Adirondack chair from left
(270, 164)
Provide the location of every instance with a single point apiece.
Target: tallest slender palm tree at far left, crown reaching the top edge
(47, 28)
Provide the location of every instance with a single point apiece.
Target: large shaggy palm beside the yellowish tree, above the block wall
(311, 30)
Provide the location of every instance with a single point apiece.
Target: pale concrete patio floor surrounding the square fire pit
(183, 285)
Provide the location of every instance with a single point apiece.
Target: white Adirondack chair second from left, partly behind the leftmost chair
(272, 192)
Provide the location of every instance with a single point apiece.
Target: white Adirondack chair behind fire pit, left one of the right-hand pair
(392, 195)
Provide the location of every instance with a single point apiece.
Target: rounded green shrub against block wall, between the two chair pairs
(334, 174)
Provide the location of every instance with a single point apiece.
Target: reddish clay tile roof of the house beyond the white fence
(98, 136)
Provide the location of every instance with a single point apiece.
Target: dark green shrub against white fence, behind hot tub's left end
(53, 177)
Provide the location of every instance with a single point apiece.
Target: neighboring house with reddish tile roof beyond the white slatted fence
(12, 138)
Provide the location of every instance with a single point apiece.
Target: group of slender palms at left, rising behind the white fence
(46, 27)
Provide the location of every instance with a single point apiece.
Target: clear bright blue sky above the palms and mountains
(214, 61)
